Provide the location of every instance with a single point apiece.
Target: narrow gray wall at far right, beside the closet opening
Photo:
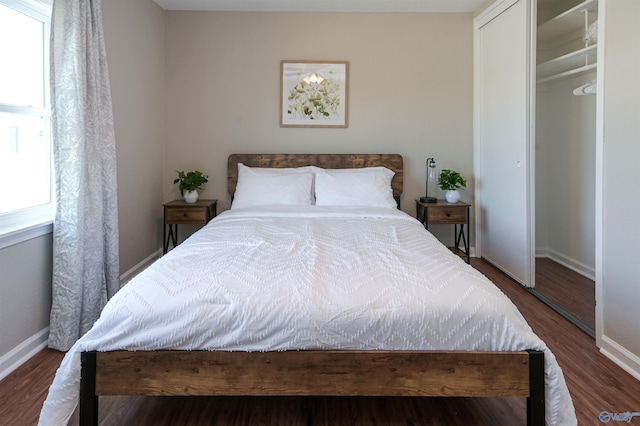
(620, 283)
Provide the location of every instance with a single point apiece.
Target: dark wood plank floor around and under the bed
(596, 384)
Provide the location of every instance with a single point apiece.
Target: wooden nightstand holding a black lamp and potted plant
(444, 213)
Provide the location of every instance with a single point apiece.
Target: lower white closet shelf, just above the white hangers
(571, 64)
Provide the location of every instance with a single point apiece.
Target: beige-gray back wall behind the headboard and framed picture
(410, 89)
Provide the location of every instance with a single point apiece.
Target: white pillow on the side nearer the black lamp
(370, 186)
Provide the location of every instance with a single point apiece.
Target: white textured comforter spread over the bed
(308, 278)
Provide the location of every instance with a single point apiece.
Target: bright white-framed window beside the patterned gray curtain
(26, 184)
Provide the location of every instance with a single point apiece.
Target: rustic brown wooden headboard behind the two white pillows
(326, 161)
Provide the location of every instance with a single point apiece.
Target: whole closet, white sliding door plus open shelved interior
(535, 67)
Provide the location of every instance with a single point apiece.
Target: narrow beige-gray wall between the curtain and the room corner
(135, 43)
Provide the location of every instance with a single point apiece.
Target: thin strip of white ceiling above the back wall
(324, 5)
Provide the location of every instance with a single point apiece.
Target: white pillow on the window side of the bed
(264, 186)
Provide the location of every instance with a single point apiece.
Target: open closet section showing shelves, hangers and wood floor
(565, 157)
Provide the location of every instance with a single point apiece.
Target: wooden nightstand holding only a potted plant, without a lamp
(180, 212)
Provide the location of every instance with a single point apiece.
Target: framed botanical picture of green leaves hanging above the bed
(314, 94)
